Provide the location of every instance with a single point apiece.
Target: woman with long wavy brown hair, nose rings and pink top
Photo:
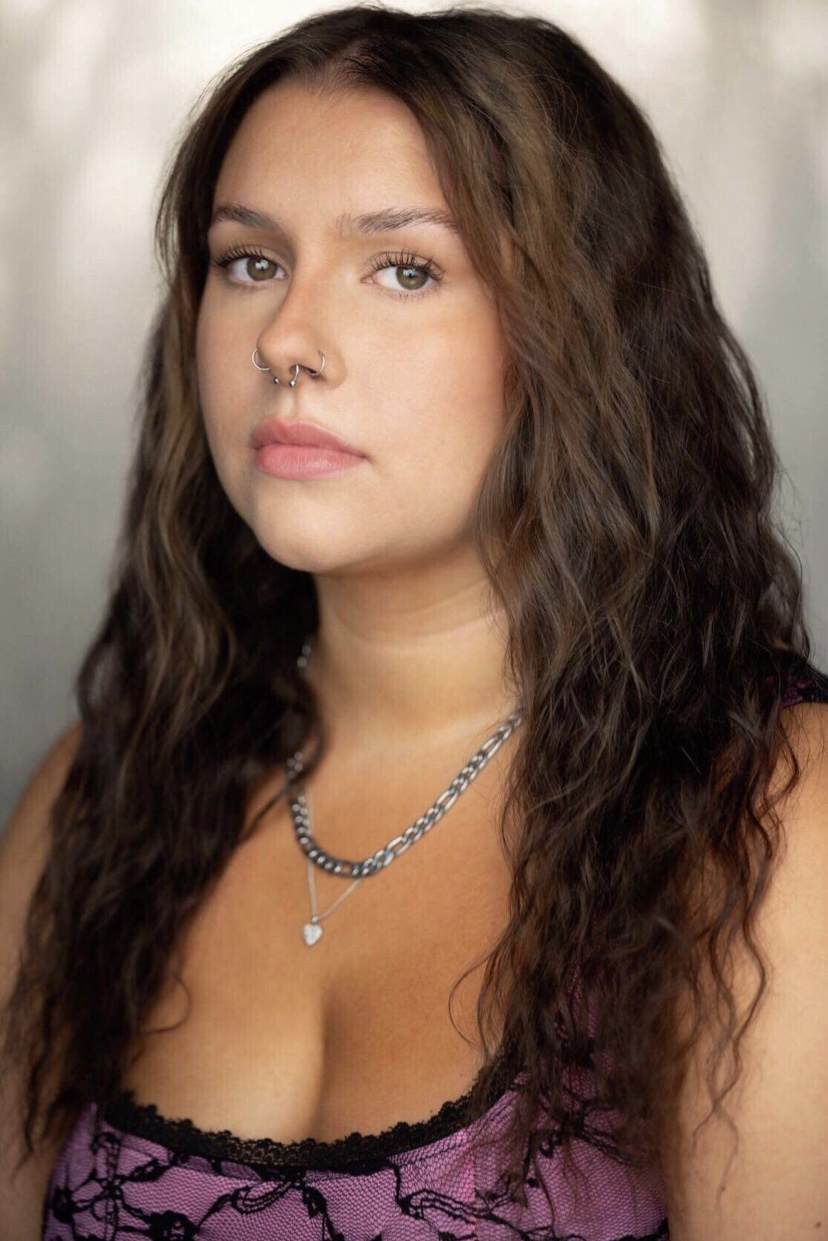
(446, 452)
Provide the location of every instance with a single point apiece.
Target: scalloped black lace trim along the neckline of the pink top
(357, 1152)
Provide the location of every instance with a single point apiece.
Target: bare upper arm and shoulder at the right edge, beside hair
(765, 1176)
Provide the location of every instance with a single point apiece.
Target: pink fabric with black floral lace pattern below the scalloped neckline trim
(111, 1186)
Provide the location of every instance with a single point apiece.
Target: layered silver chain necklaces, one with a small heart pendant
(317, 857)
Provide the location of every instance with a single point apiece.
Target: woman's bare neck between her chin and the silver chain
(413, 662)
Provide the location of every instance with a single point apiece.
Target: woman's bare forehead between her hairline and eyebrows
(305, 145)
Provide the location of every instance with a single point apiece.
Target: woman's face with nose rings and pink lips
(414, 356)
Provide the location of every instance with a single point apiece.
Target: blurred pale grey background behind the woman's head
(92, 97)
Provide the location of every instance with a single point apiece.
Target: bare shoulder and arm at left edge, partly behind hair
(24, 851)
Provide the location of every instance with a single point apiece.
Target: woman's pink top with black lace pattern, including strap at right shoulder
(133, 1173)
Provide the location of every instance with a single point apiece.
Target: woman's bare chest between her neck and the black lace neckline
(266, 1037)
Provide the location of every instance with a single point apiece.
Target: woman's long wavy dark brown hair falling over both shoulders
(626, 524)
